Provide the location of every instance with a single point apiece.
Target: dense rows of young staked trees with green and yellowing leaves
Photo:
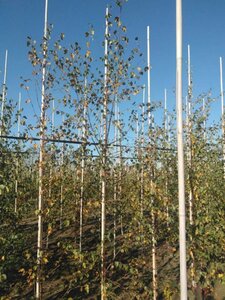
(106, 206)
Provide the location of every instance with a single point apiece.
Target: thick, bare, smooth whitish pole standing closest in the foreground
(181, 185)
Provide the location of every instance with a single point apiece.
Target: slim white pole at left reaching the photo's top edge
(40, 190)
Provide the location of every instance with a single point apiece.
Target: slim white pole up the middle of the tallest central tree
(104, 157)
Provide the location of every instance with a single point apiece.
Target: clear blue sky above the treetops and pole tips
(203, 29)
